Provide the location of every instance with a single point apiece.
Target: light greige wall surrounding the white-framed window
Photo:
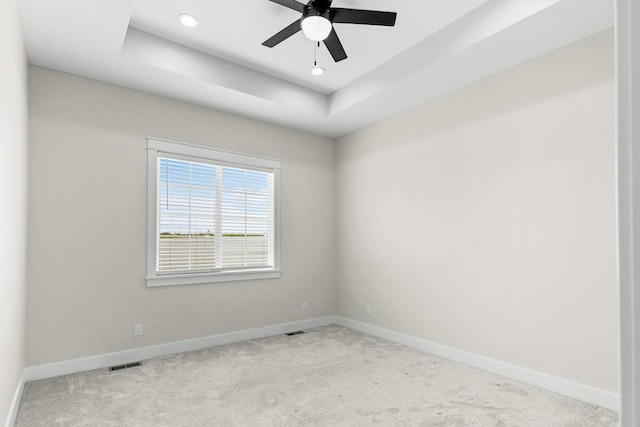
(87, 222)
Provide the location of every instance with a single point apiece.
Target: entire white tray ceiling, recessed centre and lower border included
(436, 47)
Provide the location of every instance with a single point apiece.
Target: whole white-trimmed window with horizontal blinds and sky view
(212, 215)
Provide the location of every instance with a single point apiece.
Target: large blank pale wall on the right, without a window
(486, 221)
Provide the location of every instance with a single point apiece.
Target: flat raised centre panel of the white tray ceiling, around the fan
(250, 22)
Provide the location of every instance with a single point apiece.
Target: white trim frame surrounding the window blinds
(157, 147)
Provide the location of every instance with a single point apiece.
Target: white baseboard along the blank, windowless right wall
(577, 391)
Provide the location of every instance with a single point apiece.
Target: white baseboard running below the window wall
(128, 356)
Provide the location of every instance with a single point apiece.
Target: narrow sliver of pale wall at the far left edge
(13, 188)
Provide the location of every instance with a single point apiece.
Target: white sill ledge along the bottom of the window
(199, 278)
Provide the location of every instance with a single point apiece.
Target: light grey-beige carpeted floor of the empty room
(329, 376)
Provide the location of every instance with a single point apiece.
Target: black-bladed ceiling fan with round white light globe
(317, 22)
